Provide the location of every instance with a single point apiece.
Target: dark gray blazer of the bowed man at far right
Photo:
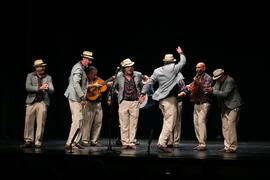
(228, 94)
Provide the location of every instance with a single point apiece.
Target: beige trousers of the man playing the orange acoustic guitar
(92, 123)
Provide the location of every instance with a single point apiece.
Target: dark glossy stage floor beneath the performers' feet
(52, 160)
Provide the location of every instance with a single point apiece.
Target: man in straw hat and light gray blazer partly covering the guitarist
(76, 94)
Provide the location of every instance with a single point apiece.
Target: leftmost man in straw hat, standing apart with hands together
(38, 86)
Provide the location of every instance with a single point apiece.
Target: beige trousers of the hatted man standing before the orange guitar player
(77, 121)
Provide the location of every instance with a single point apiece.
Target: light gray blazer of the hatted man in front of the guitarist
(78, 83)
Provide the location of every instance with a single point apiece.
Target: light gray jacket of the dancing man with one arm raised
(167, 77)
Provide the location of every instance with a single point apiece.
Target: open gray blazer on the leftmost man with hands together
(31, 86)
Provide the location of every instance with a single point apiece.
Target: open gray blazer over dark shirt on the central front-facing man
(119, 83)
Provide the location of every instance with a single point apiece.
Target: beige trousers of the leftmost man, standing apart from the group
(38, 112)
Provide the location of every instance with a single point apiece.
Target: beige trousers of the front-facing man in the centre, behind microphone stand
(128, 118)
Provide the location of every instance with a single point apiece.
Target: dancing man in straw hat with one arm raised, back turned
(167, 77)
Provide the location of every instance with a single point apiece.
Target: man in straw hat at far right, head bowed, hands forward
(229, 100)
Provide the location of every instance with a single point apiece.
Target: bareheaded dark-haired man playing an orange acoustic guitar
(93, 113)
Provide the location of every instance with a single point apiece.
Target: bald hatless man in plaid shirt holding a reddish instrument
(202, 102)
